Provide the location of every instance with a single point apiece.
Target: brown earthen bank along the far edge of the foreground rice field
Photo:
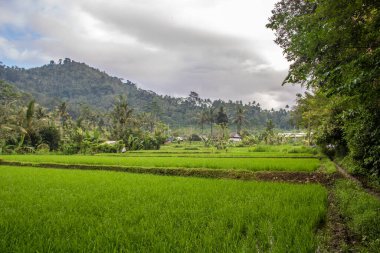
(278, 176)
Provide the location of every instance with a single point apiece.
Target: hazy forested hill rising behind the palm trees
(81, 85)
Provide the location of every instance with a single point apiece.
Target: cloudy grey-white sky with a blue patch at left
(217, 48)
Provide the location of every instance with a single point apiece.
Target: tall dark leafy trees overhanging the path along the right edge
(334, 48)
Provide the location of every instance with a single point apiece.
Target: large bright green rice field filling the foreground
(46, 210)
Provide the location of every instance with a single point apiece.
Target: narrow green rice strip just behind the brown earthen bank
(252, 164)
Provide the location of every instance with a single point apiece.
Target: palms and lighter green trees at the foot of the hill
(27, 127)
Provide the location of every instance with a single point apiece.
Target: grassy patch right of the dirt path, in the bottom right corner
(361, 211)
